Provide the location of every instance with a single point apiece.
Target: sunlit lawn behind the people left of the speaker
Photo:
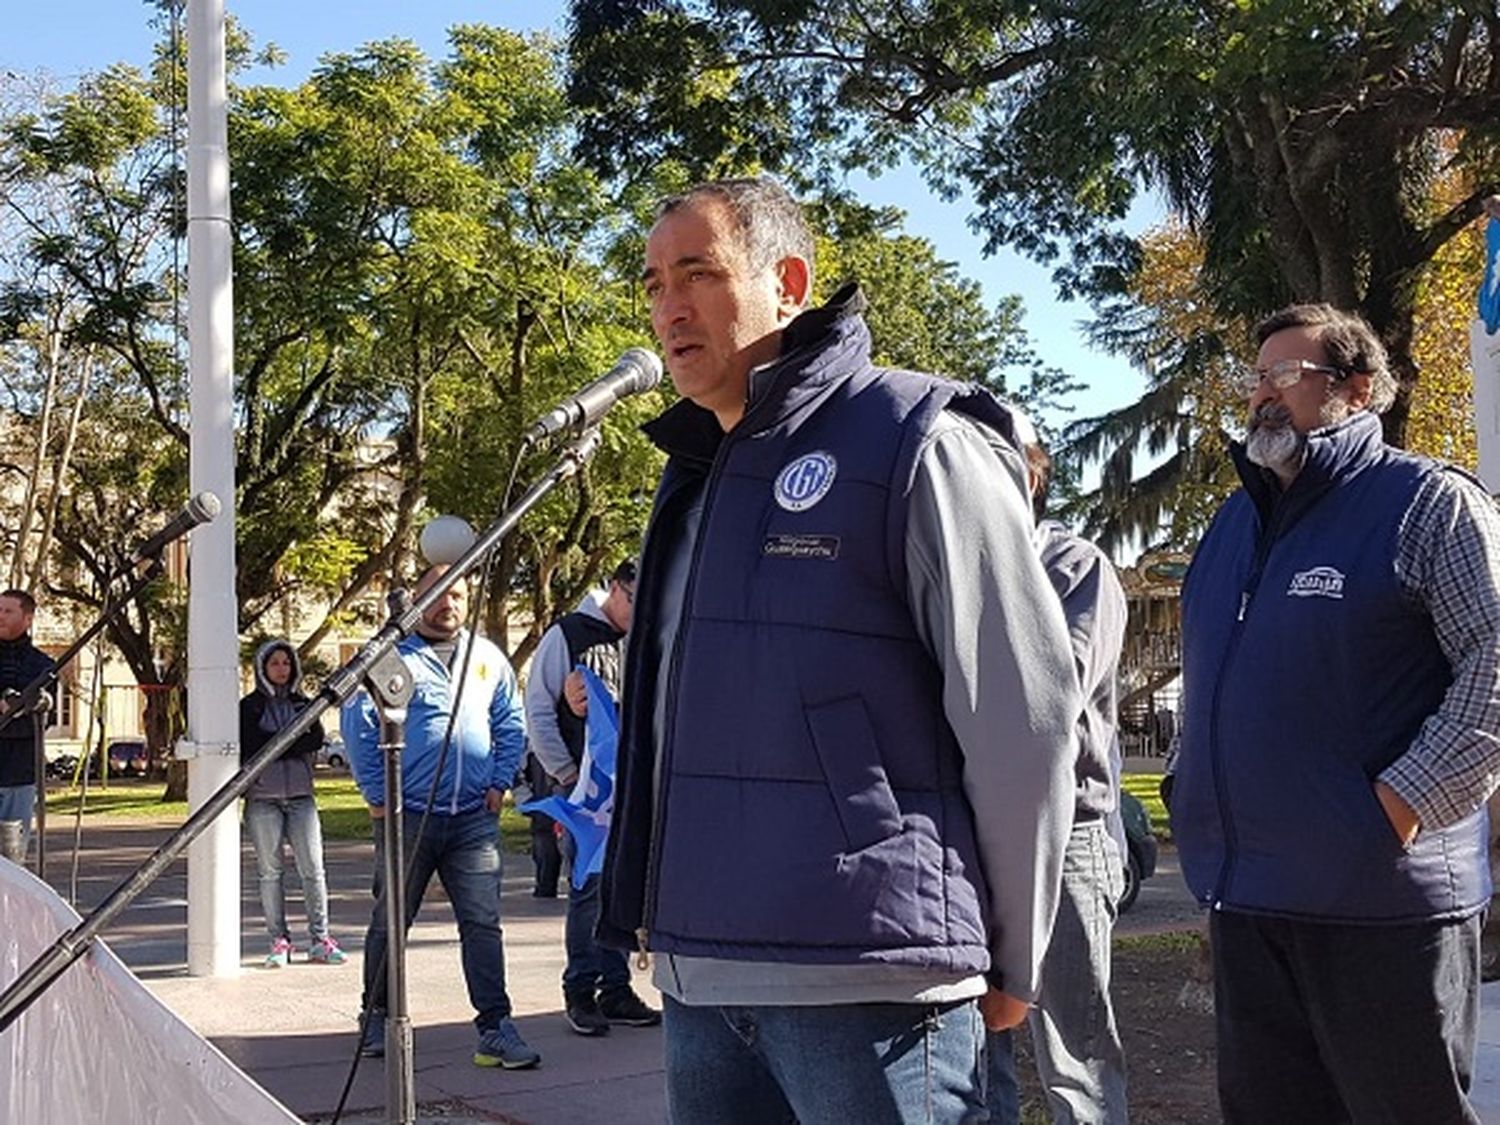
(341, 808)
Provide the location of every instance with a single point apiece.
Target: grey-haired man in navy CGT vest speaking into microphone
(847, 751)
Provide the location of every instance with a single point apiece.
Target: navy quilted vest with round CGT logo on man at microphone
(811, 790)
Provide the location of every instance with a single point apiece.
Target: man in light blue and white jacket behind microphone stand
(463, 685)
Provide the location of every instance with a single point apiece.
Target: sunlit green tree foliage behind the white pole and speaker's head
(422, 268)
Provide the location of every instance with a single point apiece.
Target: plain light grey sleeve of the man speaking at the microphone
(991, 617)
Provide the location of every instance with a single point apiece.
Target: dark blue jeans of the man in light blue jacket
(464, 851)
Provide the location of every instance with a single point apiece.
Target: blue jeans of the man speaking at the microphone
(824, 1066)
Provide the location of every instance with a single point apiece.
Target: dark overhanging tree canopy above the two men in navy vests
(1300, 140)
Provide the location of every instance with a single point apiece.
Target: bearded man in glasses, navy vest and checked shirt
(1340, 736)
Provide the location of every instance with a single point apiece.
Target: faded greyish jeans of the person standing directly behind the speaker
(1073, 1028)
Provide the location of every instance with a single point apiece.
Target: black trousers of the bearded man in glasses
(1325, 1024)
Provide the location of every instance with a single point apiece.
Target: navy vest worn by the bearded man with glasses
(1307, 671)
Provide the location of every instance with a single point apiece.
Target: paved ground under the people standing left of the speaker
(295, 1030)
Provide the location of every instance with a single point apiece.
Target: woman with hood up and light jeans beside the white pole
(280, 806)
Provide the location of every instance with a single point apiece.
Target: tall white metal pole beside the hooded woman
(212, 745)
